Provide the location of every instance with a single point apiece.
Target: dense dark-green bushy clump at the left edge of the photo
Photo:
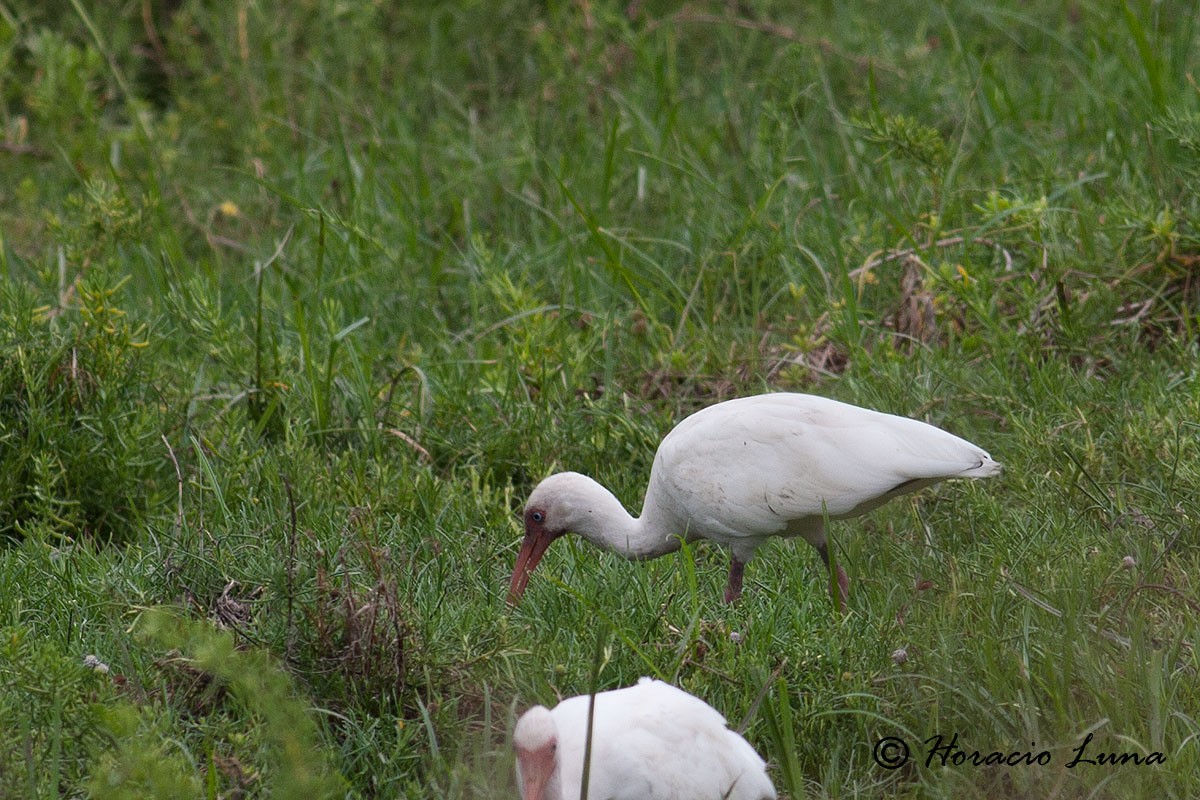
(80, 419)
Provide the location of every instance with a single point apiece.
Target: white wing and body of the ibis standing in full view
(785, 458)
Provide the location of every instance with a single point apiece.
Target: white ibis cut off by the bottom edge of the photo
(650, 742)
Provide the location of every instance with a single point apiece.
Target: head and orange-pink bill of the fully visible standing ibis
(559, 506)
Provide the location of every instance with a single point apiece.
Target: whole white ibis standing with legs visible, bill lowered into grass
(740, 472)
